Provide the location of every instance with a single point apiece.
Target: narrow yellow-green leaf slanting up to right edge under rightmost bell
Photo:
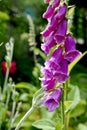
(71, 65)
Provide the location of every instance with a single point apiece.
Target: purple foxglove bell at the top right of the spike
(61, 12)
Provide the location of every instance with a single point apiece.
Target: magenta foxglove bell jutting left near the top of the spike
(49, 12)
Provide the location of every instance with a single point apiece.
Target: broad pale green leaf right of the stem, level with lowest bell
(74, 97)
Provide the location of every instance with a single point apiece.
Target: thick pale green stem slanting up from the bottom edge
(24, 117)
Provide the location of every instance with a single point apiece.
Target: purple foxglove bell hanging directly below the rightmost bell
(61, 75)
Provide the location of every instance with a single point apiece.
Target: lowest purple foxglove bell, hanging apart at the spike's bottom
(52, 101)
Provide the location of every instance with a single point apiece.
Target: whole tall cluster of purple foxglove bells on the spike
(56, 66)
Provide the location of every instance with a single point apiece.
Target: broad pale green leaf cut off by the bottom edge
(45, 124)
